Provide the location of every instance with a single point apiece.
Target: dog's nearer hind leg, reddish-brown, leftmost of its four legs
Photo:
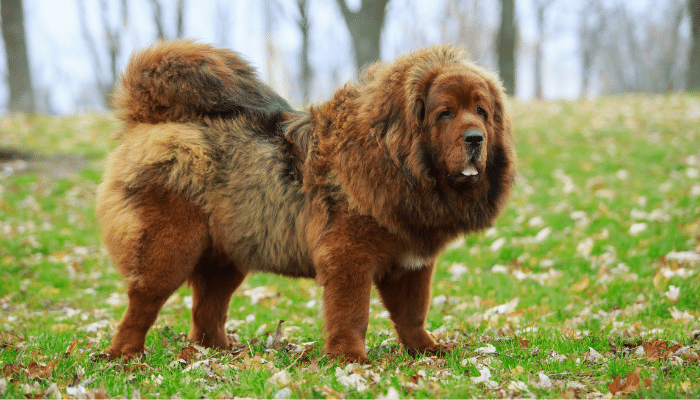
(173, 236)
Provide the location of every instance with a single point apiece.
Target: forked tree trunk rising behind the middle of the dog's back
(365, 26)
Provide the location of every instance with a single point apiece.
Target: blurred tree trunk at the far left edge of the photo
(18, 74)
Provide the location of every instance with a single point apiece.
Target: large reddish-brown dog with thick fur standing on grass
(216, 176)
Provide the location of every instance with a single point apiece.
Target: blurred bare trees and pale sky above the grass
(63, 56)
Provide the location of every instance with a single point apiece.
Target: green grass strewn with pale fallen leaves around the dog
(574, 286)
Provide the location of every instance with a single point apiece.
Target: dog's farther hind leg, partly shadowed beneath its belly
(213, 282)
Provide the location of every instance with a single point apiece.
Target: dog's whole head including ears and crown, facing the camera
(460, 108)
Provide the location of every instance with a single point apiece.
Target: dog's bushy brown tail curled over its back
(179, 81)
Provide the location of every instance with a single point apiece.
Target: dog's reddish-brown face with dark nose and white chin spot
(460, 111)
